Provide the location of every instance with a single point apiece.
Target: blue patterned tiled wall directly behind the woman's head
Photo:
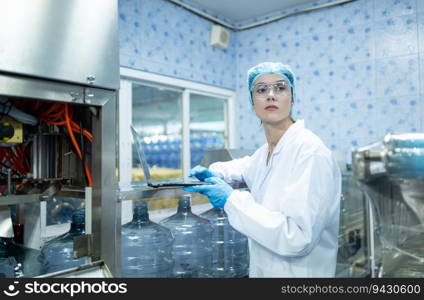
(358, 66)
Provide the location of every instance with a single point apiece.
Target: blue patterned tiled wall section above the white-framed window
(160, 37)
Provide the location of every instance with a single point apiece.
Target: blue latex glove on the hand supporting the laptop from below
(218, 192)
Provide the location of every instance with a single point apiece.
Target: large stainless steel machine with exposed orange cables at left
(59, 77)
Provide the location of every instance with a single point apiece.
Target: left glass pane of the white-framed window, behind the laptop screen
(157, 117)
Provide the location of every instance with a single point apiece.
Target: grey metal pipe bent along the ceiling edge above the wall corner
(260, 23)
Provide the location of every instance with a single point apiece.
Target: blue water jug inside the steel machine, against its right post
(58, 253)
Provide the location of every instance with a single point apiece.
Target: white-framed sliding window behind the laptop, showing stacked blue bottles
(178, 120)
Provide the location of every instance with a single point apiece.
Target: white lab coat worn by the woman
(291, 213)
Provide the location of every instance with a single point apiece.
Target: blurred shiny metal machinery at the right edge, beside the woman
(390, 173)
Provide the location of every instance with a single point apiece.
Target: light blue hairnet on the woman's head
(271, 68)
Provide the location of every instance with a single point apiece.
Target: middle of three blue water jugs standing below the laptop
(192, 249)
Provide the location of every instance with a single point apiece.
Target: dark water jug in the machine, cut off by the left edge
(17, 260)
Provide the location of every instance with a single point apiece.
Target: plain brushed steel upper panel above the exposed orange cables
(73, 41)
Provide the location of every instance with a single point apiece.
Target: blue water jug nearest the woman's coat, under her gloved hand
(230, 250)
